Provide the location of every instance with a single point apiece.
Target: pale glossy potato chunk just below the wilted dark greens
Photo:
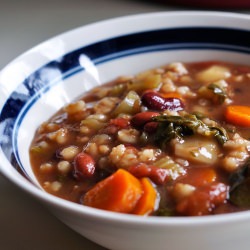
(198, 149)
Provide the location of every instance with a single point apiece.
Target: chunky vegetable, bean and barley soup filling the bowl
(171, 141)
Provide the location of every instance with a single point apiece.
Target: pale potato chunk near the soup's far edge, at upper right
(213, 73)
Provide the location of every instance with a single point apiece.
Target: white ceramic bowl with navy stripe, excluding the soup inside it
(38, 83)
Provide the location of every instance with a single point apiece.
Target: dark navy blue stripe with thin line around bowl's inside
(18, 104)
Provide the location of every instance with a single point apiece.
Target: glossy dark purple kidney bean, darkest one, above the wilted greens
(155, 101)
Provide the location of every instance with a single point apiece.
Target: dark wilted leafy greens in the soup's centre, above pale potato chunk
(170, 127)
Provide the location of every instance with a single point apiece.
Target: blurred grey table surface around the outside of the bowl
(25, 224)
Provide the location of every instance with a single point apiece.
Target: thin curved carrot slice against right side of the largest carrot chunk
(148, 201)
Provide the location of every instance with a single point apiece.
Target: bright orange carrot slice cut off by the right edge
(238, 115)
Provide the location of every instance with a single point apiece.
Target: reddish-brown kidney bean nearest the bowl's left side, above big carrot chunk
(84, 166)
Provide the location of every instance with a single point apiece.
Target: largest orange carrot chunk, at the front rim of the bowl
(119, 192)
